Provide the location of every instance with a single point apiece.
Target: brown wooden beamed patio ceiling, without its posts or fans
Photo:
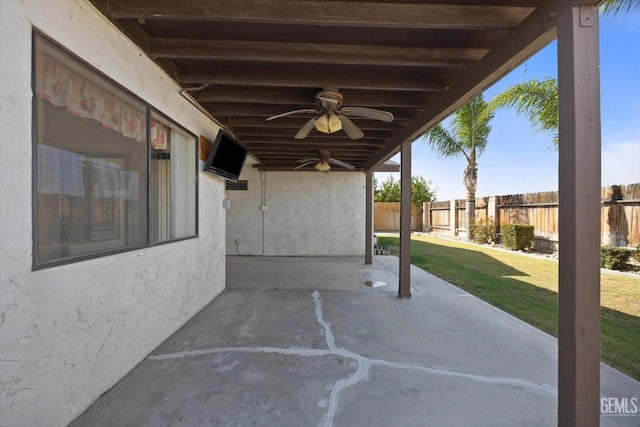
(246, 60)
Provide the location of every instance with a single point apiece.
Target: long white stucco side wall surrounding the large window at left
(69, 333)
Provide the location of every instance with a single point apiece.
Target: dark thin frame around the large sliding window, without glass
(149, 111)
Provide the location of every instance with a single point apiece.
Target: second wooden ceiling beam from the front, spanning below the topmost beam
(260, 51)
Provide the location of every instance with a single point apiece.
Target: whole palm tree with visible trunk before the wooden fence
(468, 137)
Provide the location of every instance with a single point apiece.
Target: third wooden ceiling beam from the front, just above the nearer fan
(291, 78)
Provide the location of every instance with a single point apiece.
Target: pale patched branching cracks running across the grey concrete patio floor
(364, 365)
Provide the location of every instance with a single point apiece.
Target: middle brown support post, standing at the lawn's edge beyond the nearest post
(404, 288)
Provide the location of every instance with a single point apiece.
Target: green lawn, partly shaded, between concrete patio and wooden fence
(527, 288)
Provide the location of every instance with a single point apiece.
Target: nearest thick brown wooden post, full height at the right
(579, 219)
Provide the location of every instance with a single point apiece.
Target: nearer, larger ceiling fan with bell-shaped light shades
(331, 116)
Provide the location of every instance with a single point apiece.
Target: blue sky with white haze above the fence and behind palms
(502, 169)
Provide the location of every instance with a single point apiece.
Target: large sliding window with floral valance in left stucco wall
(110, 174)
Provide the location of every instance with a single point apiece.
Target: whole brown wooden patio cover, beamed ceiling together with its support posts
(246, 60)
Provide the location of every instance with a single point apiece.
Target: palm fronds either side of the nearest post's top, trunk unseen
(538, 100)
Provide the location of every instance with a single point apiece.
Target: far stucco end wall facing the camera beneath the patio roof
(308, 213)
